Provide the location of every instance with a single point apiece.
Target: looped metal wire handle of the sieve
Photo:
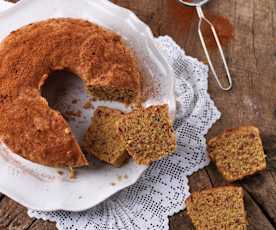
(201, 19)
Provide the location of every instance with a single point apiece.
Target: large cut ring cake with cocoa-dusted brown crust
(28, 55)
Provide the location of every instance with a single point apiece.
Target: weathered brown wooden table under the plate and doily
(252, 59)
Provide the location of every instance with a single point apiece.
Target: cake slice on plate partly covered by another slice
(102, 139)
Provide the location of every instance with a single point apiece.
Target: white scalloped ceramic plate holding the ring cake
(48, 189)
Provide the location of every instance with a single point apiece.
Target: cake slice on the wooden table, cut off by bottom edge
(217, 208)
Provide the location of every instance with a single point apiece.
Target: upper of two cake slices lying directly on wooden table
(238, 152)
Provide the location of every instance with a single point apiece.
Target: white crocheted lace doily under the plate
(160, 192)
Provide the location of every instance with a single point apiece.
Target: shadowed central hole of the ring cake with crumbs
(66, 93)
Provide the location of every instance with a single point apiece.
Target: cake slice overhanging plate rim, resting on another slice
(148, 134)
